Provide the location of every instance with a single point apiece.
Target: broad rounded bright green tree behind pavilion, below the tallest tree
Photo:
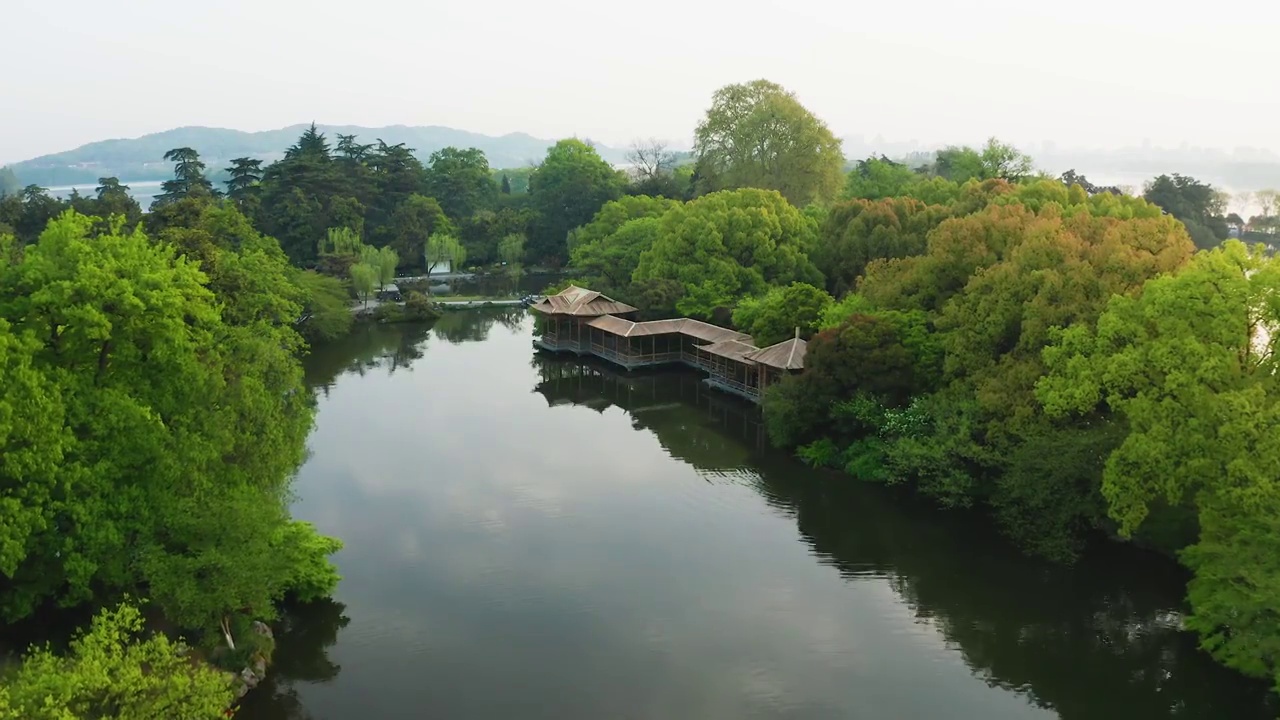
(730, 244)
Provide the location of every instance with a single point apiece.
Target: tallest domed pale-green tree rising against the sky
(758, 135)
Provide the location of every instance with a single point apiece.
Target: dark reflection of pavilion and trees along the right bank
(1098, 640)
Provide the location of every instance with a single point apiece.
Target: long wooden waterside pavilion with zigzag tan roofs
(588, 323)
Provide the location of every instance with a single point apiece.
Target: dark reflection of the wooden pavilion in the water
(707, 430)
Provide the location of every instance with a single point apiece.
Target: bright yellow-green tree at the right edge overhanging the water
(1191, 367)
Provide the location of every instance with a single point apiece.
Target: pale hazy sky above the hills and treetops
(1080, 74)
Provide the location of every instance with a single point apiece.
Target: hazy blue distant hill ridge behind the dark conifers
(143, 158)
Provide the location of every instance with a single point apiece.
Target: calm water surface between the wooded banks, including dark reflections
(536, 539)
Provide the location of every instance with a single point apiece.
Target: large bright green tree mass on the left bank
(200, 368)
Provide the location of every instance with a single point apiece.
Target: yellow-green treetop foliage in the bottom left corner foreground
(113, 671)
